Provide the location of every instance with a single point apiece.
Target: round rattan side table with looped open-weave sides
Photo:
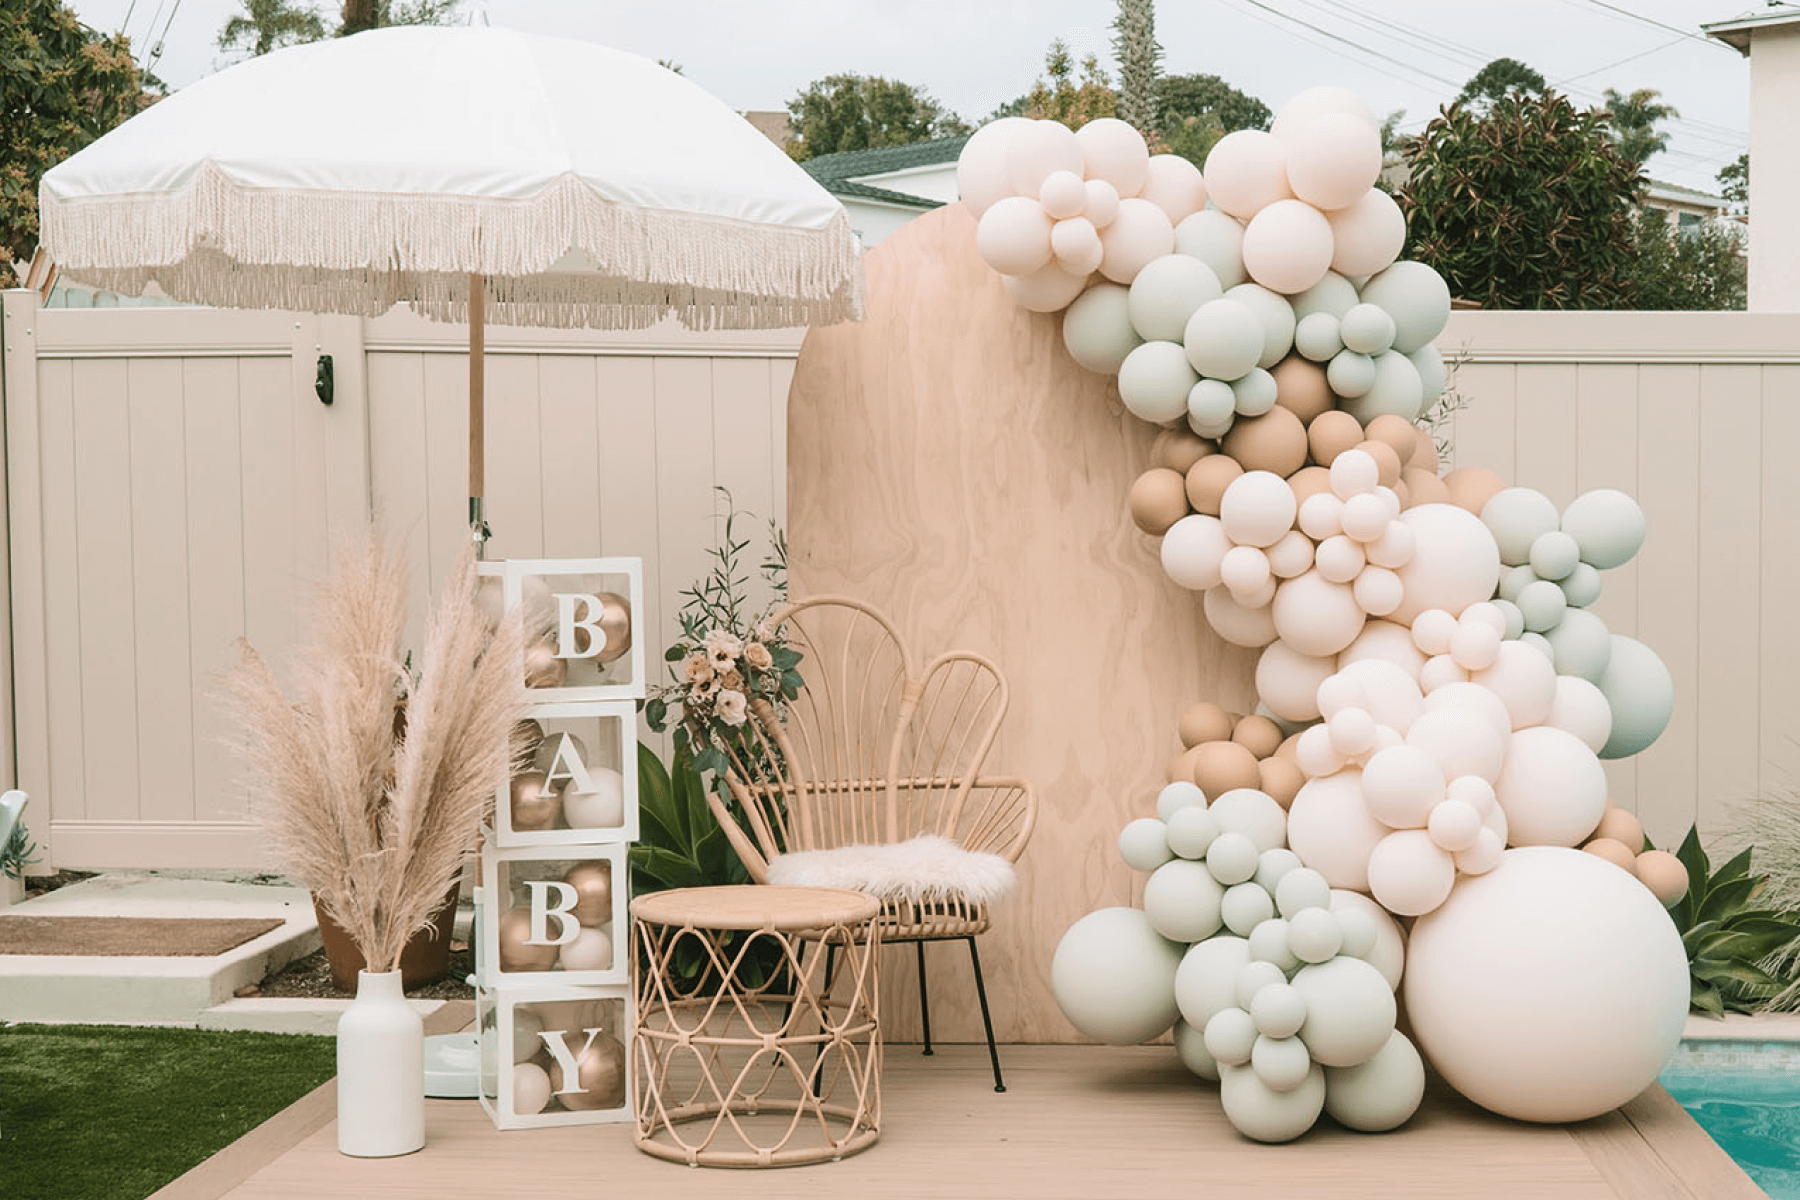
(755, 1062)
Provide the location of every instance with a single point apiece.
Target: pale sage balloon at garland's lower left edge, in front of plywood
(1115, 978)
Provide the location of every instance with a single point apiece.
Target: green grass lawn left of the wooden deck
(114, 1113)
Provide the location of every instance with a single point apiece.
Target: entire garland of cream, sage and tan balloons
(1435, 692)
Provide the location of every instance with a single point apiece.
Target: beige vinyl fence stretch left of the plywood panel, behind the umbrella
(172, 483)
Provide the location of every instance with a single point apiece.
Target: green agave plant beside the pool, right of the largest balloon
(1727, 938)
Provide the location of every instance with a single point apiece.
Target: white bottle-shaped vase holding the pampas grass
(381, 1071)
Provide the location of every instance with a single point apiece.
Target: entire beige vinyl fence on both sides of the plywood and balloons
(172, 483)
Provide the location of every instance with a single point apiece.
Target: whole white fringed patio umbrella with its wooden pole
(478, 175)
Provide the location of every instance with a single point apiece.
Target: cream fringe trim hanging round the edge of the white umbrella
(220, 244)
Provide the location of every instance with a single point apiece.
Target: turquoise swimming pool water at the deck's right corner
(1747, 1097)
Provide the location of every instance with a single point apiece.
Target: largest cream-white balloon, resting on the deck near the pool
(1552, 989)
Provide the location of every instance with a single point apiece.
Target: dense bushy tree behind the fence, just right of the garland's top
(1527, 206)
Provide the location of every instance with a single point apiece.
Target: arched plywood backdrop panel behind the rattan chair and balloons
(949, 463)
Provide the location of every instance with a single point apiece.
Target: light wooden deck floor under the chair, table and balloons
(1077, 1122)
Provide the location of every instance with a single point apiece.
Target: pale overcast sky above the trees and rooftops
(976, 55)
